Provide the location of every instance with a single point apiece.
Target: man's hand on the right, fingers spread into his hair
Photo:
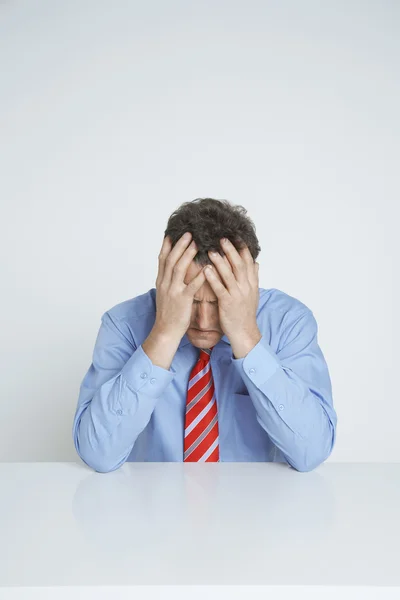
(236, 285)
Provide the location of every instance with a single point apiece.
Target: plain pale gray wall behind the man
(114, 113)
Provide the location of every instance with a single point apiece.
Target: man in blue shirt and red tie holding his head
(207, 366)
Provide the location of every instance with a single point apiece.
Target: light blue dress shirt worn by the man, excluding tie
(274, 405)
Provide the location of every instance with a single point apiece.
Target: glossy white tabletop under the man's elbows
(64, 525)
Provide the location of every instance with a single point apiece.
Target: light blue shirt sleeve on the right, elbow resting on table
(292, 393)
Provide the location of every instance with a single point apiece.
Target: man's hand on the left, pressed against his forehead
(174, 298)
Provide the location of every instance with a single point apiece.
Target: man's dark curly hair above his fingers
(209, 220)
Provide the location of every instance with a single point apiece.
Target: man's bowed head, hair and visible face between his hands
(209, 220)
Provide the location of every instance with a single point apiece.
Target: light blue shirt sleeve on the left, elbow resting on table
(116, 398)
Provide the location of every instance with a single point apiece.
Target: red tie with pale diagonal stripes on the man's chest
(201, 441)
